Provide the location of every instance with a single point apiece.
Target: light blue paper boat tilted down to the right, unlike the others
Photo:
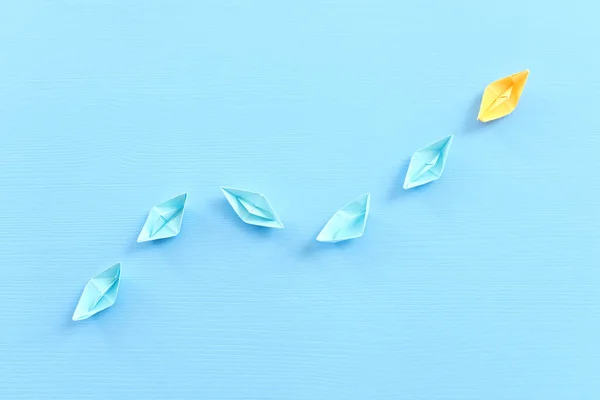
(252, 208)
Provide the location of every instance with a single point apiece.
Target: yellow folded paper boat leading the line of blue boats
(501, 97)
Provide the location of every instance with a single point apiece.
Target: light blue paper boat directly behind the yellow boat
(427, 164)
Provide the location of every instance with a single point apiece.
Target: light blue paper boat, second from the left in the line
(164, 220)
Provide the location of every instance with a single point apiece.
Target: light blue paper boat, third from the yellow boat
(348, 222)
